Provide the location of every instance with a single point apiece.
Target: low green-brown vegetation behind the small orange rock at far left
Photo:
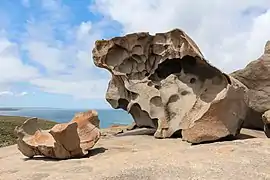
(8, 124)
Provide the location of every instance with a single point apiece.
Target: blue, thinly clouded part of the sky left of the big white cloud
(51, 42)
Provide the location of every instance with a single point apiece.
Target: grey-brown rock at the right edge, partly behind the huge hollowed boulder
(256, 76)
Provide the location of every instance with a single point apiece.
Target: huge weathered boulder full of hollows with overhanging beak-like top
(165, 83)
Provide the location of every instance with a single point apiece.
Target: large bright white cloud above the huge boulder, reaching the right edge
(230, 33)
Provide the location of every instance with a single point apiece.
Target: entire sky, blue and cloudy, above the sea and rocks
(46, 45)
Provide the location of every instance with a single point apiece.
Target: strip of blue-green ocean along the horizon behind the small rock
(107, 117)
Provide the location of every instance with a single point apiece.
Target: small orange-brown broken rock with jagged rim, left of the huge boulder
(67, 140)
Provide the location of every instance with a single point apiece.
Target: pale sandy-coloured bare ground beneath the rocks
(140, 157)
